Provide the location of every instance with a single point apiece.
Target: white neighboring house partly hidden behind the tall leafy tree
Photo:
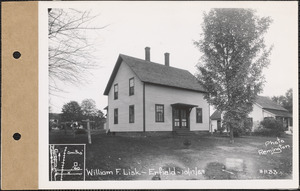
(262, 108)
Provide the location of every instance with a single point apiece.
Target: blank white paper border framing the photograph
(169, 184)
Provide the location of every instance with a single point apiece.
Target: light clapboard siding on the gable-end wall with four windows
(124, 100)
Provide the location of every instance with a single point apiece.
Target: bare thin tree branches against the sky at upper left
(70, 52)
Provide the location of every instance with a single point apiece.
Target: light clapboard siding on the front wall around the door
(155, 94)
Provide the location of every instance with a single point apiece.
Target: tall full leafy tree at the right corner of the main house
(234, 56)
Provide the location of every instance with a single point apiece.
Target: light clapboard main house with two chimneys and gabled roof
(145, 96)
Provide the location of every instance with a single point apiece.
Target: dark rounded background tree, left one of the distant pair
(71, 112)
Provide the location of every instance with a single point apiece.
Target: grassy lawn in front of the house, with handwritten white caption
(173, 157)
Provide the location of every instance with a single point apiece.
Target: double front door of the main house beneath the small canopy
(180, 119)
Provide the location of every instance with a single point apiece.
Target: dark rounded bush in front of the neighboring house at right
(270, 127)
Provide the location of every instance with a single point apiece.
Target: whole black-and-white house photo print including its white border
(171, 91)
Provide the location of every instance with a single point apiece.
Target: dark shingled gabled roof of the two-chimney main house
(150, 72)
